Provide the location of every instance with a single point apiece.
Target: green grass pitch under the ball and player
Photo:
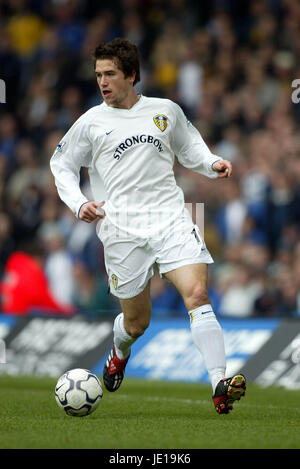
(147, 414)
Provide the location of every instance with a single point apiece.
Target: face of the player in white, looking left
(114, 87)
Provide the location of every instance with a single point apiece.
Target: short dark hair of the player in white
(124, 53)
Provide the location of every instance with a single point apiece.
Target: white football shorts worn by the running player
(131, 261)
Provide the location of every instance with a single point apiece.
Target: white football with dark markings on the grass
(78, 392)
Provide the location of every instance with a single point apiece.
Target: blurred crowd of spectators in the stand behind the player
(230, 65)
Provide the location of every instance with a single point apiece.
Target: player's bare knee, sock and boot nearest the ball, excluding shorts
(128, 326)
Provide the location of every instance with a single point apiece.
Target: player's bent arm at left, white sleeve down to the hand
(73, 152)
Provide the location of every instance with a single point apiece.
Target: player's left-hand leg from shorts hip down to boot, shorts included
(129, 265)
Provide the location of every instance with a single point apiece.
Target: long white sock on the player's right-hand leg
(208, 338)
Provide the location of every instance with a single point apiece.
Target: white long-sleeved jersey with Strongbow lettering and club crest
(132, 151)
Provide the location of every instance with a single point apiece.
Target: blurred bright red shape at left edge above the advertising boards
(24, 288)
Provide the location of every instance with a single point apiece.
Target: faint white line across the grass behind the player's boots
(196, 401)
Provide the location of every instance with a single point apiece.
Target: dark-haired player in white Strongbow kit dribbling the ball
(129, 143)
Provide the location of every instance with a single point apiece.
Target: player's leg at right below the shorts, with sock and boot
(191, 283)
